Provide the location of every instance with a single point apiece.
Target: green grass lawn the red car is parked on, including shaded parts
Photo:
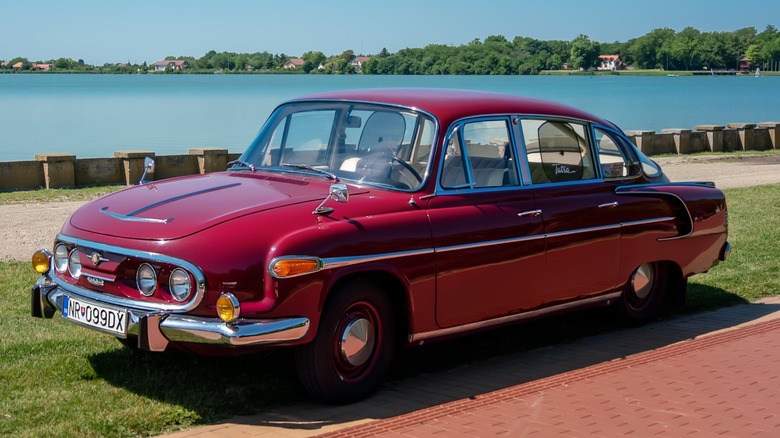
(58, 379)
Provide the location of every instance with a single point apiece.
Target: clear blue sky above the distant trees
(111, 31)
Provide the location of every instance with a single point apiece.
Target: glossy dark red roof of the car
(449, 105)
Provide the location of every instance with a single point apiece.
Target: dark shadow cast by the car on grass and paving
(259, 389)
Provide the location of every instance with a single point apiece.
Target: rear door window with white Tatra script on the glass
(557, 151)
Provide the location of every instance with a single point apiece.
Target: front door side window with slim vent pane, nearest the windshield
(479, 155)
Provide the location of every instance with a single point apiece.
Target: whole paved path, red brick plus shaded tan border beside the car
(711, 374)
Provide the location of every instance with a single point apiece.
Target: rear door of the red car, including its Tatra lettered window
(581, 214)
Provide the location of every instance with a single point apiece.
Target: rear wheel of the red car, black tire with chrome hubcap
(643, 295)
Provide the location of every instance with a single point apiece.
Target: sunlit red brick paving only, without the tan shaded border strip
(720, 385)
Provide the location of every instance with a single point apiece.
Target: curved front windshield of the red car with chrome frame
(371, 144)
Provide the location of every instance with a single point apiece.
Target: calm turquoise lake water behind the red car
(95, 115)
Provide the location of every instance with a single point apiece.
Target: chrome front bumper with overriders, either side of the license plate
(154, 329)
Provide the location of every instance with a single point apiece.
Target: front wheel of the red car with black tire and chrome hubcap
(354, 346)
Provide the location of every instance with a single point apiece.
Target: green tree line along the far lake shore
(667, 49)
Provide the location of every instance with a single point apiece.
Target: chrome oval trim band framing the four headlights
(200, 279)
